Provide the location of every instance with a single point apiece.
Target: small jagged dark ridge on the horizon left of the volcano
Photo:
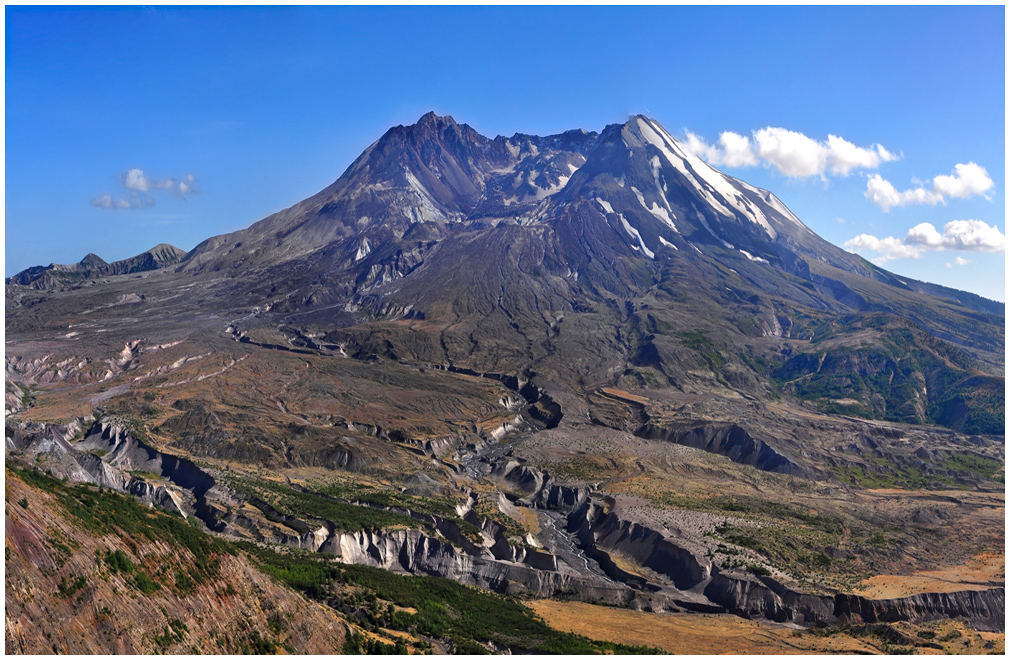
(93, 266)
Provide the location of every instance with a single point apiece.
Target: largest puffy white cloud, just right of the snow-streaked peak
(792, 153)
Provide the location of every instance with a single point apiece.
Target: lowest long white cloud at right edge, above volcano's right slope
(962, 236)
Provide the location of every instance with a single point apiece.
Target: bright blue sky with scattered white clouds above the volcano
(266, 107)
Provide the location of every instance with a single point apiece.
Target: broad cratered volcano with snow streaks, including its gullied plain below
(625, 376)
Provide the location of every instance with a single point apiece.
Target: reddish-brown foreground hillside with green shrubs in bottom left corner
(98, 573)
